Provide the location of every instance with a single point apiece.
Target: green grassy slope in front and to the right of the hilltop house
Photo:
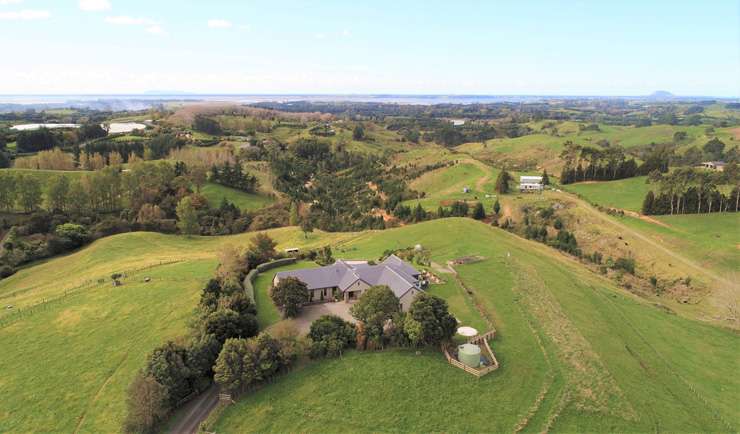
(603, 360)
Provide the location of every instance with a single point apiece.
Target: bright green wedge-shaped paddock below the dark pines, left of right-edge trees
(623, 193)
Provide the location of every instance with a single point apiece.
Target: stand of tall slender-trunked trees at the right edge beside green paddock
(693, 191)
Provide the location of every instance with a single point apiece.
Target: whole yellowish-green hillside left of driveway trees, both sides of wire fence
(73, 358)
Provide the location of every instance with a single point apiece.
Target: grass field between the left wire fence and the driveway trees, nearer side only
(66, 366)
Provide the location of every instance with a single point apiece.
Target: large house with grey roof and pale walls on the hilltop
(347, 280)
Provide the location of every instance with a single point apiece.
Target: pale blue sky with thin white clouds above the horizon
(369, 47)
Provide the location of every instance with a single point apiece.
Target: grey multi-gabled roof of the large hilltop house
(393, 272)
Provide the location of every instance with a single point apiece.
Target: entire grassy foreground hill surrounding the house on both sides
(577, 353)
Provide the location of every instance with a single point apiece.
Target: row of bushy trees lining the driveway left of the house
(220, 334)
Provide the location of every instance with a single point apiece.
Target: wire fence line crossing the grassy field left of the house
(44, 304)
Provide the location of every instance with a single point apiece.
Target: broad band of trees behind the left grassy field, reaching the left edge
(149, 196)
